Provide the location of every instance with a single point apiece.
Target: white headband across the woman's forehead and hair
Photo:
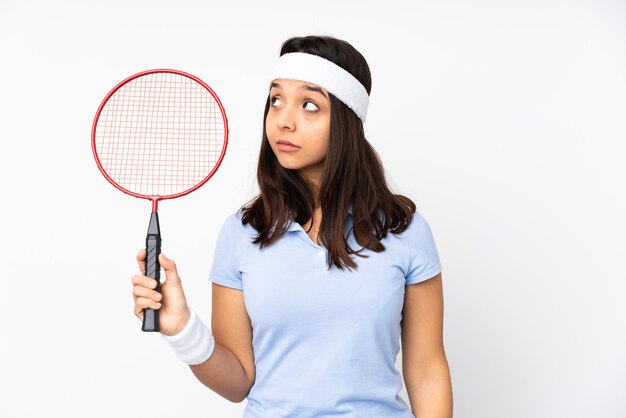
(317, 70)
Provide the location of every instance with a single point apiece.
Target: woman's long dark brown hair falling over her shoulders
(353, 174)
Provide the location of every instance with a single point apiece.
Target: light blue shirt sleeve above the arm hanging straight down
(424, 260)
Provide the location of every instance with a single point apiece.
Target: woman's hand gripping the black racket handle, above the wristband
(171, 303)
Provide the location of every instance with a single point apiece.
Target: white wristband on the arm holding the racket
(194, 344)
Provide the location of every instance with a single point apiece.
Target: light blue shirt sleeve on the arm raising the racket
(224, 270)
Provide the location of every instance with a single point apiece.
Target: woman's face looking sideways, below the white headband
(299, 113)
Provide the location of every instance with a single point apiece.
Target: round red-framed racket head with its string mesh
(159, 134)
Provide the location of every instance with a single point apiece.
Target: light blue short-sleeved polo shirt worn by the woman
(325, 341)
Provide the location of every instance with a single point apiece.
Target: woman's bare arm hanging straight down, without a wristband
(424, 364)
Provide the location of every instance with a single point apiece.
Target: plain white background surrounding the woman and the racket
(503, 120)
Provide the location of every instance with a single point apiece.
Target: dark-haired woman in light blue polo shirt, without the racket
(317, 278)
